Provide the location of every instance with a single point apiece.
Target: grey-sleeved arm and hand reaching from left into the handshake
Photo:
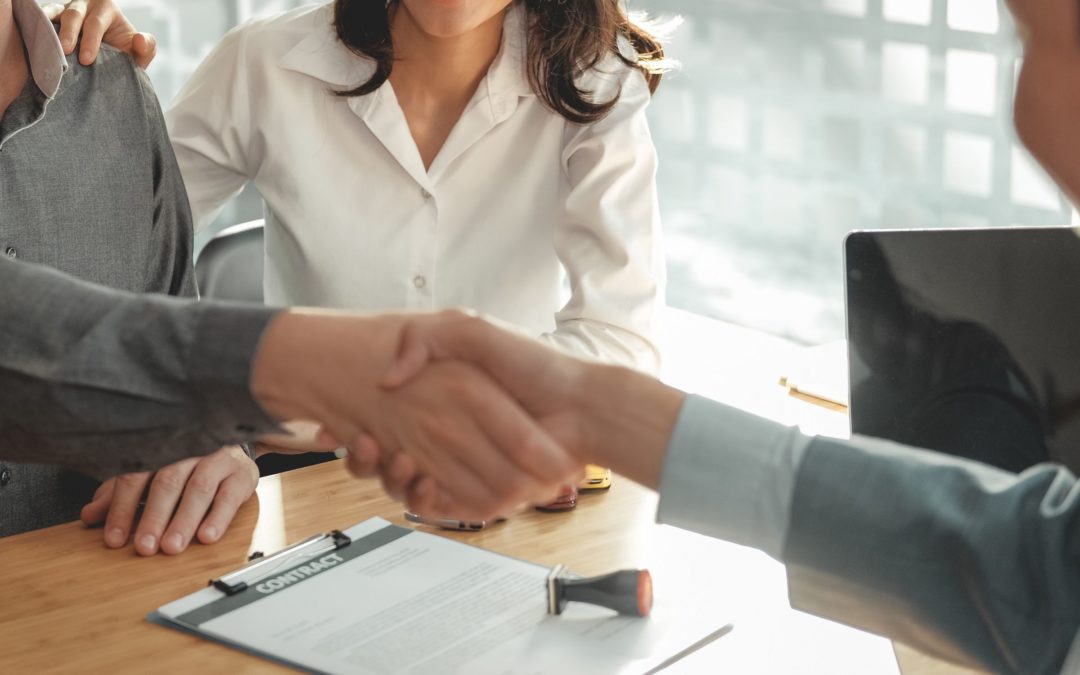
(110, 383)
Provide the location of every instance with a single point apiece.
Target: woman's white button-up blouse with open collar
(519, 205)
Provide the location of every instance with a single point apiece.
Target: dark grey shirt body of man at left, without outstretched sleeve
(89, 186)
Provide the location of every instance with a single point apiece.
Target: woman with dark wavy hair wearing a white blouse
(431, 154)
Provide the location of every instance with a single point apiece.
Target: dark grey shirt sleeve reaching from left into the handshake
(110, 383)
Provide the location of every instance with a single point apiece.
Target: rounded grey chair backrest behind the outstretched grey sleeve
(231, 266)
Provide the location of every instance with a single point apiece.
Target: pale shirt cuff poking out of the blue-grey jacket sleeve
(731, 475)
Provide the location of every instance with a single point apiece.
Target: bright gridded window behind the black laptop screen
(793, 123)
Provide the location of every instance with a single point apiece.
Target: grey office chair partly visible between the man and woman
(231, 268)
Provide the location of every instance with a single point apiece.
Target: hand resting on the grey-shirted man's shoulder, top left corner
(101, 21)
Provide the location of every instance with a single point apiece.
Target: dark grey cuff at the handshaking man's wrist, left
(227, 340)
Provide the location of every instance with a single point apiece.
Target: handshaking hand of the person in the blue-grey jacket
(603, 415)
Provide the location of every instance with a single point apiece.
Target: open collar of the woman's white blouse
(321, 56)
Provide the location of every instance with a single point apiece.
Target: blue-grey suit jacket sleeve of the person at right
(957, 559)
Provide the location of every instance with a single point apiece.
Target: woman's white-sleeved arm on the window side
(609, 238)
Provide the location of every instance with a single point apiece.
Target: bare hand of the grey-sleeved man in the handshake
(452, 421)
